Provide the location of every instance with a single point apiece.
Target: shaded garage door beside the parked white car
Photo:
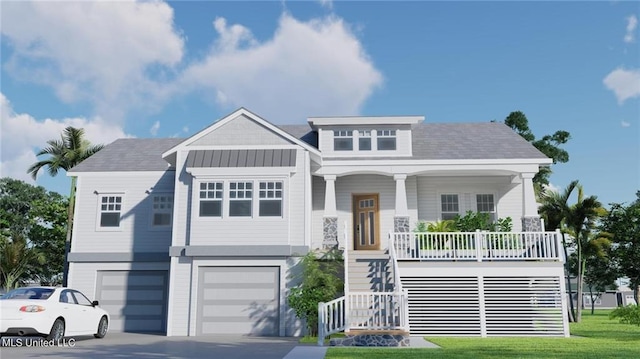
(135, 300)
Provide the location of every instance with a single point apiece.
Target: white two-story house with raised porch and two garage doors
(204, 235)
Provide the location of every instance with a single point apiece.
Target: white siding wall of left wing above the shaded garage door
(135, 233)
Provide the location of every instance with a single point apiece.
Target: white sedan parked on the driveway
(51, 312)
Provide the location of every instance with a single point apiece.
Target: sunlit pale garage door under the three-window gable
(238, 300)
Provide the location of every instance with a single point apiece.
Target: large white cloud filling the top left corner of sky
(97, 51)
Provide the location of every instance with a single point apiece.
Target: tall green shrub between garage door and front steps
(319, 282)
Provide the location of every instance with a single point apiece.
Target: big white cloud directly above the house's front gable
(309, 68)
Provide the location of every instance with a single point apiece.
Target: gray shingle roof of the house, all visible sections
(431, 141)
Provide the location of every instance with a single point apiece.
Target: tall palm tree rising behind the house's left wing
(64, 154)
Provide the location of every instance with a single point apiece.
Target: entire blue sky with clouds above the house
(157, 69)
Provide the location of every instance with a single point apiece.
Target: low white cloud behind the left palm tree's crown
(22, 136)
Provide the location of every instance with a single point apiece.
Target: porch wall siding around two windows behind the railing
(507, 196)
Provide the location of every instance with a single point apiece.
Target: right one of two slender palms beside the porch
(580, 221)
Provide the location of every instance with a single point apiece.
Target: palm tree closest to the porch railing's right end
(554, 209)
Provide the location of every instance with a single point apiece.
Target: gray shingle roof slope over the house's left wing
(129, 154)
